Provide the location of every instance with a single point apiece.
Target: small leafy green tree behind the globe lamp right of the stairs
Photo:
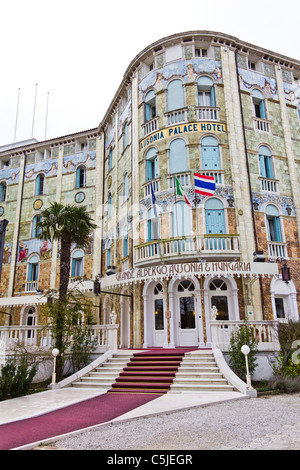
(243, 335)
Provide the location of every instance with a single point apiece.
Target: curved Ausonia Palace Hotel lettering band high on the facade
(181, 130)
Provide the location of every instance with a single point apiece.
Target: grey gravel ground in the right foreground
(264, 423)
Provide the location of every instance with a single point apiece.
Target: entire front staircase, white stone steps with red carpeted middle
(146, 372)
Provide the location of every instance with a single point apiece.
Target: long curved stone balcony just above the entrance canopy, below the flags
(187, 248)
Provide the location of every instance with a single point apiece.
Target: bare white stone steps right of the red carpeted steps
(199, 372)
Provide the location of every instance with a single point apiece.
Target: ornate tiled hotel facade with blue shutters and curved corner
(169, 256)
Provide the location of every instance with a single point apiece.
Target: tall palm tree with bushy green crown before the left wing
(68, 224)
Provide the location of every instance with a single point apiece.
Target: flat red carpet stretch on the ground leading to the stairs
(71, 418)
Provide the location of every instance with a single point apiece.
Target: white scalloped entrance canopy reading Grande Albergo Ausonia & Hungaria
(223, 268)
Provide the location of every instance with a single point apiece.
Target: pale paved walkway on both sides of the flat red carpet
(49, 402)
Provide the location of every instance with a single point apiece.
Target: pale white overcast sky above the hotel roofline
(63, 60)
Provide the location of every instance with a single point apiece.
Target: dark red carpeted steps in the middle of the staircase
(148, 372)
